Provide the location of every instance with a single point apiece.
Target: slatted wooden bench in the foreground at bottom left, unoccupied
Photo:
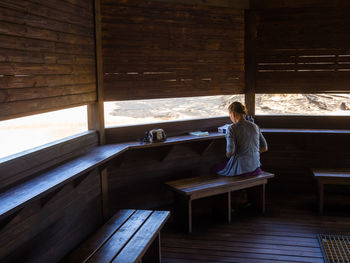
(129, 236)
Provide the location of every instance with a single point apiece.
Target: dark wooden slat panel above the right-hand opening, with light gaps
(303, 50)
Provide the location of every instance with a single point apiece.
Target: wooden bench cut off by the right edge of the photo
(328, 176)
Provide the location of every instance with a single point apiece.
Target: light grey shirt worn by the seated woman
(244, 140)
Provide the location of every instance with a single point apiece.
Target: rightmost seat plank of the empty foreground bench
(139, 243)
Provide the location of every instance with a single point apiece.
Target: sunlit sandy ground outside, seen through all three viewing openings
(21, 134)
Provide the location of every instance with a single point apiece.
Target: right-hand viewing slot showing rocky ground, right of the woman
(303, 104)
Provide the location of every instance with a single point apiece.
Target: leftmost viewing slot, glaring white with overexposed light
(21, 134)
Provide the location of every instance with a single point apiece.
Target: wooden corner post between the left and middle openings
(96, 110)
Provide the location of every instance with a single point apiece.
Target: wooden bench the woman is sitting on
(189, 189)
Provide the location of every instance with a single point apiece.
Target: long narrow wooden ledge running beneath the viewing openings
(15, 198)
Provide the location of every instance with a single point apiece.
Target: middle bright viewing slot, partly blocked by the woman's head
(121, 113)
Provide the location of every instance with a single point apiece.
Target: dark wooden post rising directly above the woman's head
(250, 60)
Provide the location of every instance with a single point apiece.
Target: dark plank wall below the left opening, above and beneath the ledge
(49, 227)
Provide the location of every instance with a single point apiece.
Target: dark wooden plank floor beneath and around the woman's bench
(287, 233)
